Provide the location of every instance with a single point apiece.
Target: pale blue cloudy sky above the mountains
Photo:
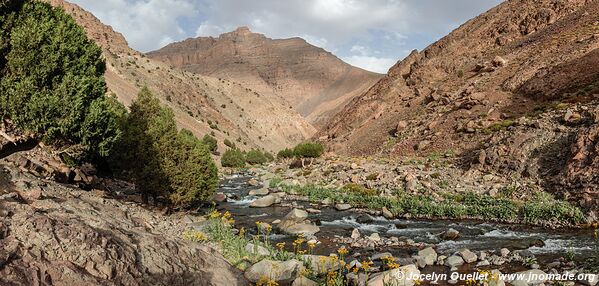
(371, 34)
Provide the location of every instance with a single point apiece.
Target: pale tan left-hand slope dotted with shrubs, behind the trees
(202, 104)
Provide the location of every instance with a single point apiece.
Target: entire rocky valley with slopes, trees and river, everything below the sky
(241, 159)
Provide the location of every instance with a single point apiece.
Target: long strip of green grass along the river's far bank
(539, 210)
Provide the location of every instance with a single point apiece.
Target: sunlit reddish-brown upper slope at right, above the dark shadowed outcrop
(475, 77)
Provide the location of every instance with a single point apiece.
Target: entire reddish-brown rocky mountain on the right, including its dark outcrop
(513, 91)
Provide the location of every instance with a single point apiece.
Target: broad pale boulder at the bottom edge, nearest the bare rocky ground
(282, 272)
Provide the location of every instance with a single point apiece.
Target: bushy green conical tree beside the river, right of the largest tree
(162, 161)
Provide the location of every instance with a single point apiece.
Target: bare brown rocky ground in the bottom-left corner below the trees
(58, 234)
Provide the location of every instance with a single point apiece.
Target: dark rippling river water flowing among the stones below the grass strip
(474, 235)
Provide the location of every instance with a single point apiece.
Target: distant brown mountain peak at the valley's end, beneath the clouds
(315, 82)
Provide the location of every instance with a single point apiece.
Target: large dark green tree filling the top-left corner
(52, 83)
